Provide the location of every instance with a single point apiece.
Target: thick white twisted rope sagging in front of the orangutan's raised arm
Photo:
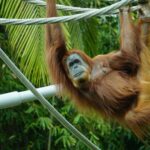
(75, 17)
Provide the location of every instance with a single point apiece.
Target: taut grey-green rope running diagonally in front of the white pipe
(45, 103)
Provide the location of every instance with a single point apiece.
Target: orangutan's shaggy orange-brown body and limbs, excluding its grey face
(120, 82)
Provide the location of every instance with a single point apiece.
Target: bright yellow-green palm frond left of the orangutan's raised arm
(27, 42)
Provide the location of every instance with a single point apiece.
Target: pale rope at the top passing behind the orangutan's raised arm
(74, 9)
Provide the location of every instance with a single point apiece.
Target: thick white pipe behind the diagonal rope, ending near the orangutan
(16, 98)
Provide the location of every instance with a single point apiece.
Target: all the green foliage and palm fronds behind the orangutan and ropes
(29, 126)
